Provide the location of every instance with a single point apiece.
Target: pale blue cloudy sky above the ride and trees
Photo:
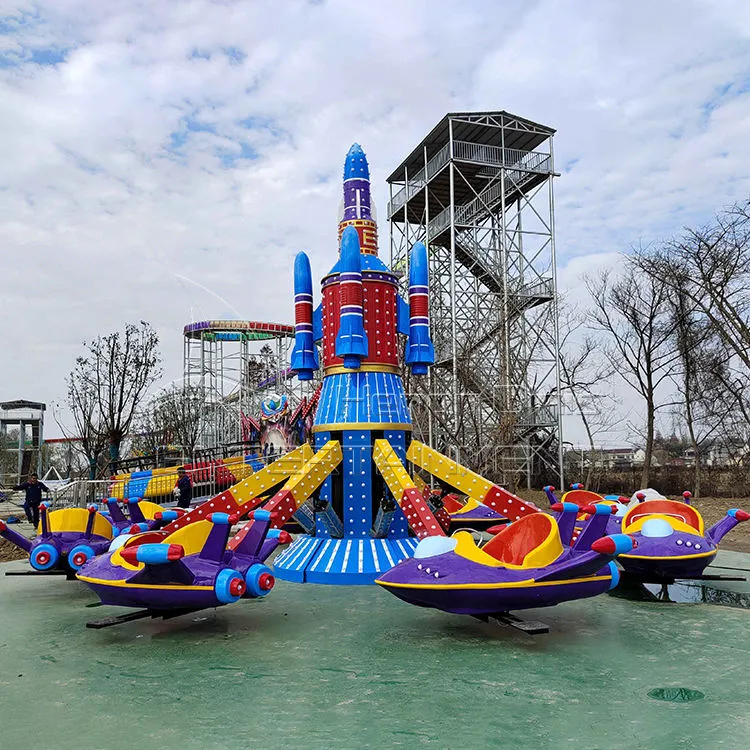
(165, 160)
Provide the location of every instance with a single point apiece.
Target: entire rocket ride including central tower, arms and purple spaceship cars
(367, 515)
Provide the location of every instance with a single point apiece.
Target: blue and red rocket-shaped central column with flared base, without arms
(357, 529)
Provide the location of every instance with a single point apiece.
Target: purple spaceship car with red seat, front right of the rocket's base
(531, 563)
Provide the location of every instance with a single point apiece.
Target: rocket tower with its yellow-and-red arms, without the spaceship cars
(353, 494)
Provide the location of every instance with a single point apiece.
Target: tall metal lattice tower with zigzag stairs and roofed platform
(478, 192)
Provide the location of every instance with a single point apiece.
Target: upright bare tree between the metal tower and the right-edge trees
(632, 311)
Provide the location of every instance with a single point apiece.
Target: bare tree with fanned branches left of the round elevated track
(110, 382)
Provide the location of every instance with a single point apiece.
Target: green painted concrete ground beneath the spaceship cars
(334, 667)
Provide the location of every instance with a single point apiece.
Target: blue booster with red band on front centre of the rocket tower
(351, 341)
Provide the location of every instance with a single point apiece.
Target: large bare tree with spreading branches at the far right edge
(707, 271)
